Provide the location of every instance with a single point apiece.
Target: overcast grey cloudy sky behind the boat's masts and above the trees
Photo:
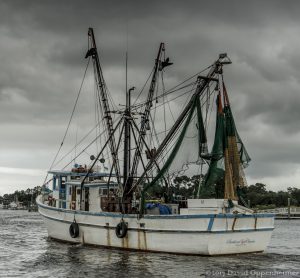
(42, 48)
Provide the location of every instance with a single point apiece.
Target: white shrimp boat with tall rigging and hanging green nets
(138, 202)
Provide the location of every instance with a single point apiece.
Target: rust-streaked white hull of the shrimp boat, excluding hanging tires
(202, 234)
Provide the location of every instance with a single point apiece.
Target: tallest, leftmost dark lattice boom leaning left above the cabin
(104, 100)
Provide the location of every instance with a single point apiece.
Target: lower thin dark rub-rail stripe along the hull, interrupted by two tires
(163, 231)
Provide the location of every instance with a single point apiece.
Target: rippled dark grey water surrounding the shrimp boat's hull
(25, 251)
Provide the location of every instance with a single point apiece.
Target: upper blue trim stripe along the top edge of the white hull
(171, 216)
